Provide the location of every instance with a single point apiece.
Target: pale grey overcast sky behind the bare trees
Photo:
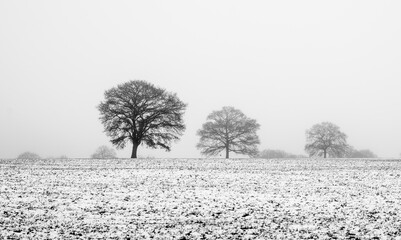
(287, 64)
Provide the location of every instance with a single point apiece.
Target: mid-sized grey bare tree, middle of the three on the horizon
(230, 130)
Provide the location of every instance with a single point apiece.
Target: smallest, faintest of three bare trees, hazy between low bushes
(326, 139)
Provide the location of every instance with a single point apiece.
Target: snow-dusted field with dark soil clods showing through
(200, 199)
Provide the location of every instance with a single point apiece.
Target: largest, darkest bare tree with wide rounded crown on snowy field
(138, 112)
